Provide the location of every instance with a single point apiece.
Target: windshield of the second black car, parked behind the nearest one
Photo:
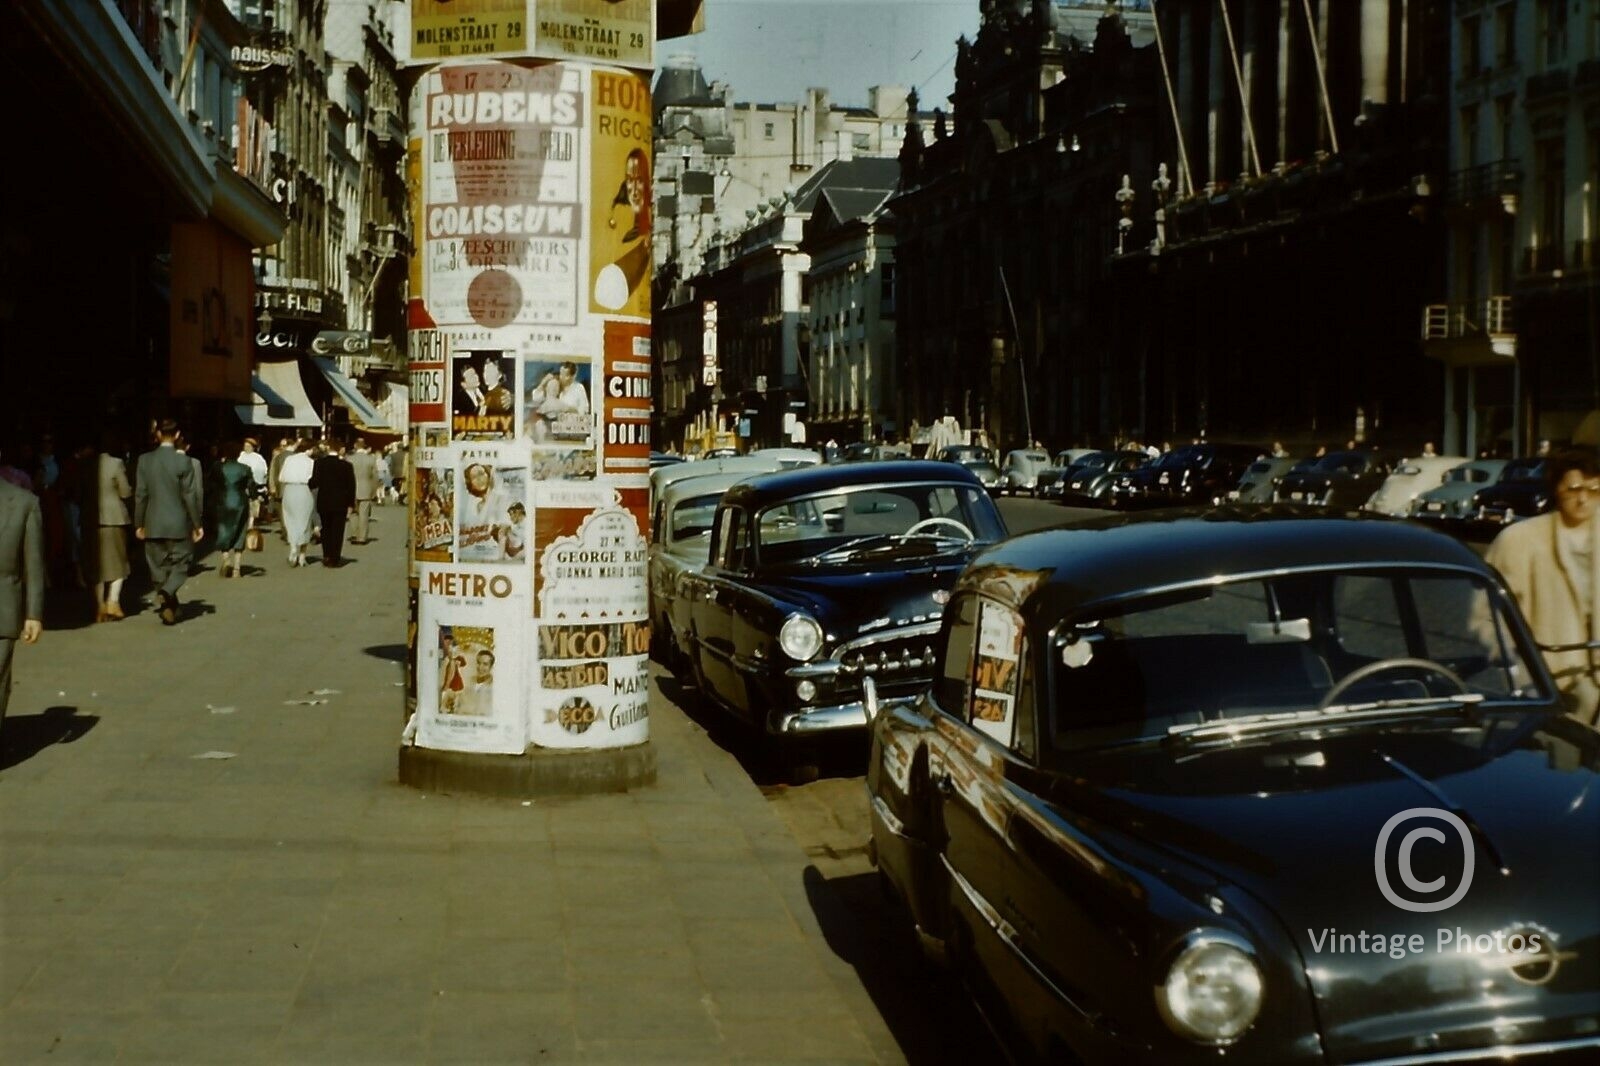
(916, 518)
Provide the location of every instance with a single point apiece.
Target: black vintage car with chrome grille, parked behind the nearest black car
(823, 577)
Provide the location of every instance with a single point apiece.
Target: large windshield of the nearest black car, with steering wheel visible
(1284, 644)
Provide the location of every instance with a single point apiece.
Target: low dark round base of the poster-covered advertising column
(540, 772)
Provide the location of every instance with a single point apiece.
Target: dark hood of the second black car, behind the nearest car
(857, 601)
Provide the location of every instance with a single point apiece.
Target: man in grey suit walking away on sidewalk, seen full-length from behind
(167, 516)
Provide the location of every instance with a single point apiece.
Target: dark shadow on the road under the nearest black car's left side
(926, 1009)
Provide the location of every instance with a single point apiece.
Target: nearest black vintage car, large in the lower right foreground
(1249, 787)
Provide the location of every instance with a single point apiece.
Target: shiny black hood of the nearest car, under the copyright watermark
(1297, 825)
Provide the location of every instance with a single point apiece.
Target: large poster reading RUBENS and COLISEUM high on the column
(503, 194)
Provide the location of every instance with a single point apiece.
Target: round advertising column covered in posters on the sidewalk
(530, 407)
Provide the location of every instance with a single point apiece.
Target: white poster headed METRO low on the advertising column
(471, 635)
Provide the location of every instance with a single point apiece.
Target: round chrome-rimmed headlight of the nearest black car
(1212, 992)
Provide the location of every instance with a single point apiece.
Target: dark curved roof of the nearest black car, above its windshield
(1057, 572)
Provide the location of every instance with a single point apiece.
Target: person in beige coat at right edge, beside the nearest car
(1553, 567)
